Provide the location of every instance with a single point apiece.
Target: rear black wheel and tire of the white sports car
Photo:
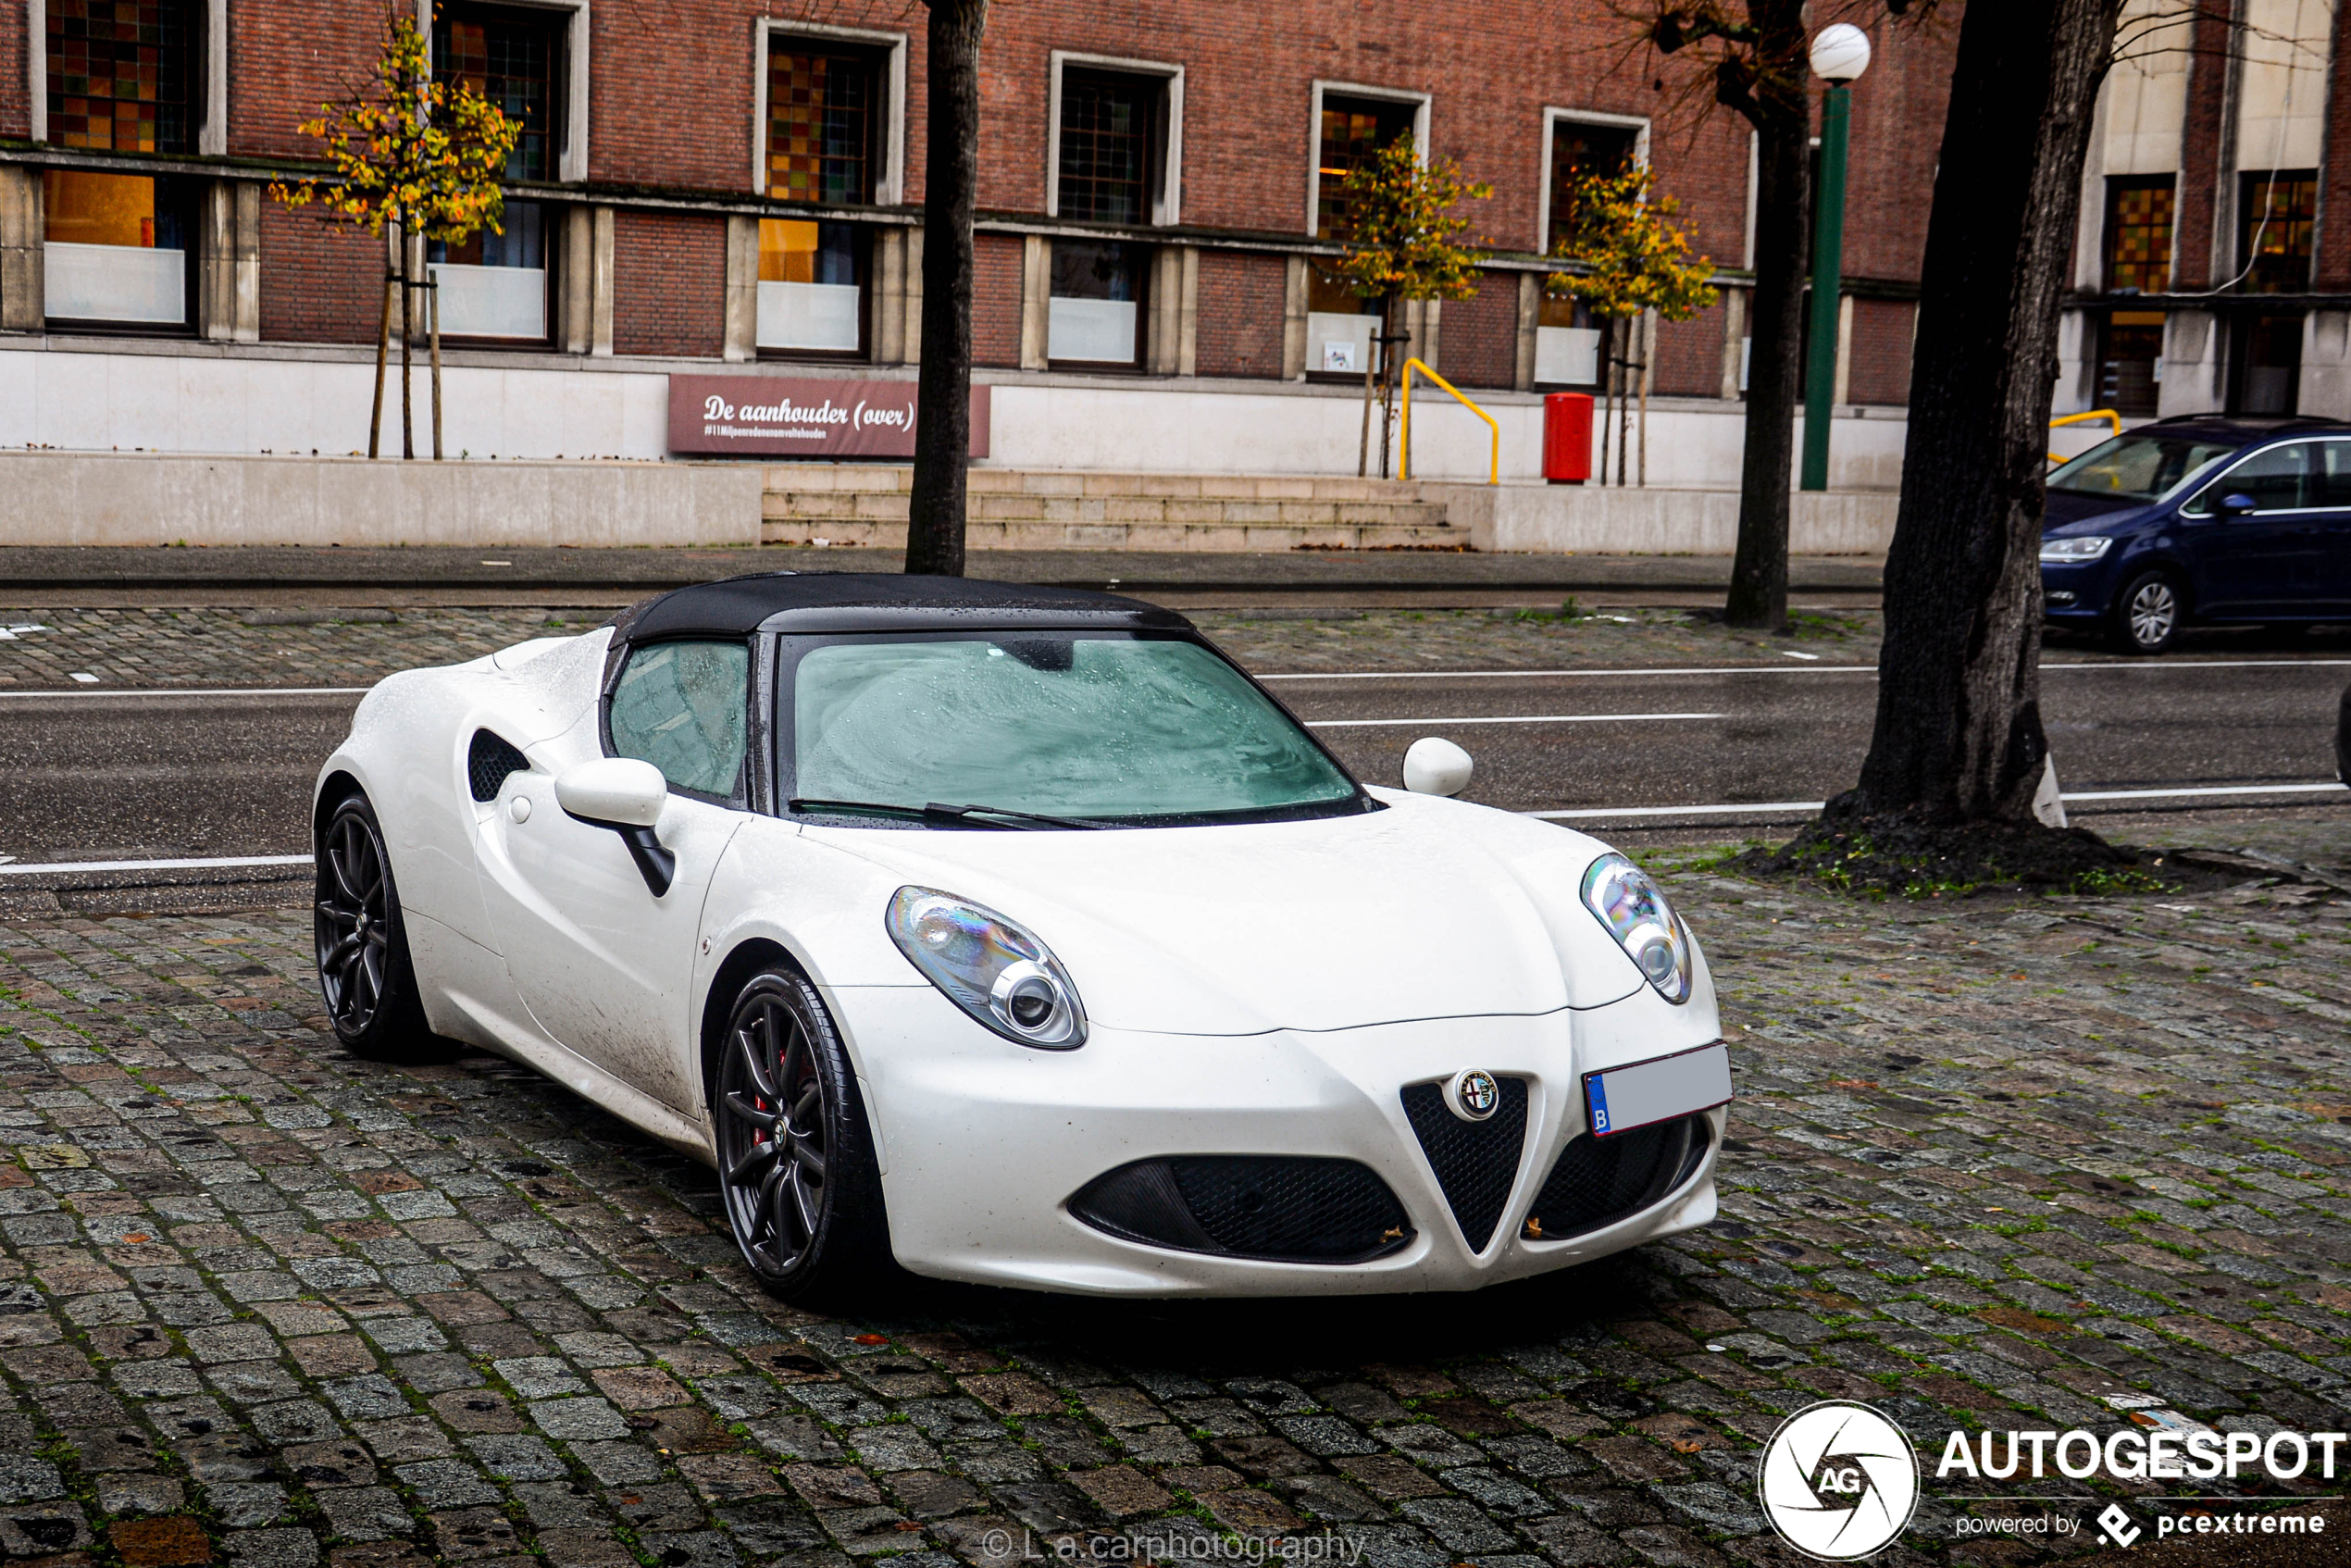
(361, 939)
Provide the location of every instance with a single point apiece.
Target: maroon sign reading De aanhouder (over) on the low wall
(803, 417)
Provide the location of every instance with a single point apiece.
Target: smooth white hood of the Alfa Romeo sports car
(1428, 909)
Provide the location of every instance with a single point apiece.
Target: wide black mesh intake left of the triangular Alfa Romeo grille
(1250, 1207)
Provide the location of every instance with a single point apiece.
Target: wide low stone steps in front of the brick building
(1099, 511)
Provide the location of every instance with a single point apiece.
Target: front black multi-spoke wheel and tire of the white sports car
(798, 1167)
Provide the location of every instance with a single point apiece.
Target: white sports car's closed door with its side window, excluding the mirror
(603, 963)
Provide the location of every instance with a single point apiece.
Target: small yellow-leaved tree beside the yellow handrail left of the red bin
(1405, 241)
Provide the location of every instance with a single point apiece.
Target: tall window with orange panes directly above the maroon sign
(824, 147)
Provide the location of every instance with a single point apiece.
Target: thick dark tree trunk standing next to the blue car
(1960, 688)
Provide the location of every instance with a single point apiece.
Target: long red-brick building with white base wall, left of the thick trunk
(728, 187)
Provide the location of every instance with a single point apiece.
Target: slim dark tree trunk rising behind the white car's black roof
(935, 537)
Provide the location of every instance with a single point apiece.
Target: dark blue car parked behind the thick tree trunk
(2202, 521)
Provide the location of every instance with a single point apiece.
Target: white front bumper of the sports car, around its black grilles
(986, 1141)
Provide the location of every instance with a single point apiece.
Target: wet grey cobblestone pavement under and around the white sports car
(1992, 1165)
